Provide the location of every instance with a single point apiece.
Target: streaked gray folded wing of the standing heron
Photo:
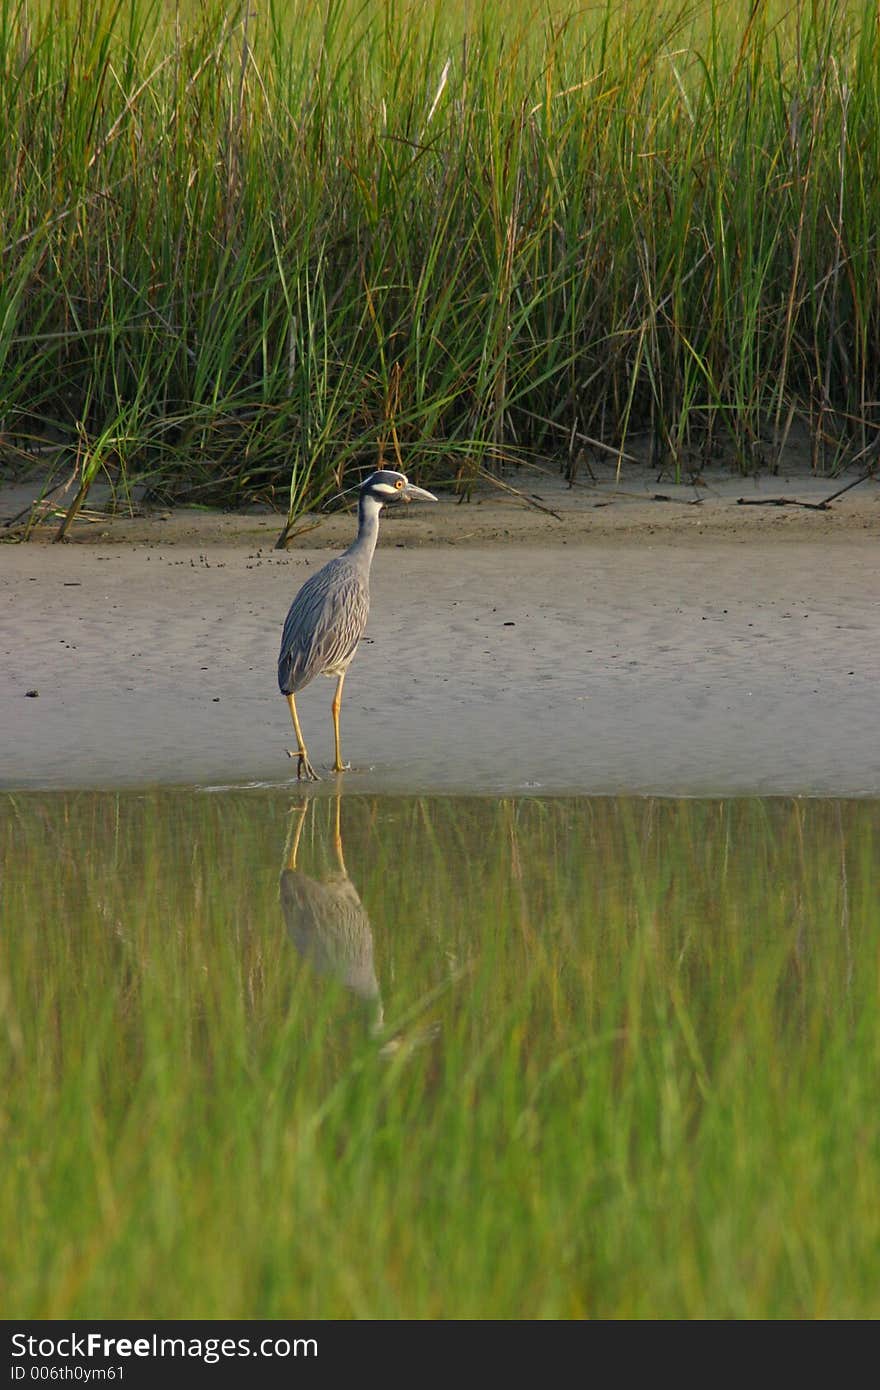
(325, 626)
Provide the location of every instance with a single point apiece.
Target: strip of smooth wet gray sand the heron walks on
(625, 646)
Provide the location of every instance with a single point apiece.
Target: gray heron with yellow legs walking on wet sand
(327, 618)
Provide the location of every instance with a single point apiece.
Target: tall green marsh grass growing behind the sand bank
(247, 247)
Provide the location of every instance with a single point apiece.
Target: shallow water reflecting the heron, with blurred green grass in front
(571, 1049)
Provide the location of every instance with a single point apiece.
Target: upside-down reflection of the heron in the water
(330, 929)
